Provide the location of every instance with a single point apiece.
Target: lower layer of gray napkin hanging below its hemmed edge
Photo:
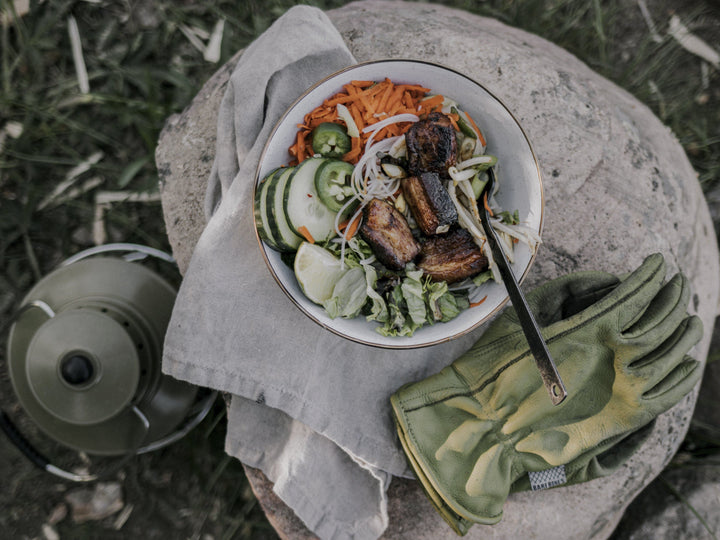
(286, 451)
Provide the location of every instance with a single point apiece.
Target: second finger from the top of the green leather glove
(663, 314)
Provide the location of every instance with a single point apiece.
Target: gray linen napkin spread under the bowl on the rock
(309, 408)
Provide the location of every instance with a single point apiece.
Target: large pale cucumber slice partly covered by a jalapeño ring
(303, 206)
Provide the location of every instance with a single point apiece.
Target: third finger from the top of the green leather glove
(657, 365)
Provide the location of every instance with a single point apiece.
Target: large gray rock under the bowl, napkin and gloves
(617, 186)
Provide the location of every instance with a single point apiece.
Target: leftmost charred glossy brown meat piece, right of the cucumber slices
(388, 234)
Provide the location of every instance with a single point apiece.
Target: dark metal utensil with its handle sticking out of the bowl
(543, 360)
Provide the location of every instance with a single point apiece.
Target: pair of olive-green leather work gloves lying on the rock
(474, 431)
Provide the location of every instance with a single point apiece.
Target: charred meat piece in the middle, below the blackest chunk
(429, 202)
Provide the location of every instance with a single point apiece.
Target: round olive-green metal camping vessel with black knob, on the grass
(84, 358)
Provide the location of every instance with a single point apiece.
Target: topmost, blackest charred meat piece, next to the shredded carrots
(431, 145)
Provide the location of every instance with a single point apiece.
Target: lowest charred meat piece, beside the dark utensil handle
(451, 257)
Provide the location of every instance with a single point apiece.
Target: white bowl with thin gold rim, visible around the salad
(518, 175)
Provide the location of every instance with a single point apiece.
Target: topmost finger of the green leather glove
(628, 301)
